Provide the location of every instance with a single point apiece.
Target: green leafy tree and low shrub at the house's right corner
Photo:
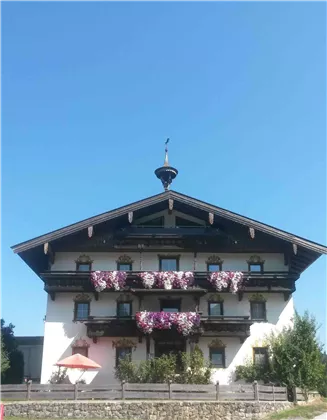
(295, 358)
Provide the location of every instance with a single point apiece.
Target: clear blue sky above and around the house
(92, 89)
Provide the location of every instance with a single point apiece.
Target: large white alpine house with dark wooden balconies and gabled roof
(162, 275)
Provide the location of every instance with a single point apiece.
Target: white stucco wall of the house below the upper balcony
(61, 331)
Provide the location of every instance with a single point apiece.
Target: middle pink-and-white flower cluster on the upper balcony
(167, 279)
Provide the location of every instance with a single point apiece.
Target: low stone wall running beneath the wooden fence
(144, 410)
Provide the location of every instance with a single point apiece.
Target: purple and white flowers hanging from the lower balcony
(185, 322)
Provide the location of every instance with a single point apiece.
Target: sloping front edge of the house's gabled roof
(160, 198)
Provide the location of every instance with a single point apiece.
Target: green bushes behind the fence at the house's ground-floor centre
(192, 369)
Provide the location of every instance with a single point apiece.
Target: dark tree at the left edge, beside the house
(15, 373)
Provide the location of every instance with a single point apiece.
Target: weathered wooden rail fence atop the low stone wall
(169, 391)
